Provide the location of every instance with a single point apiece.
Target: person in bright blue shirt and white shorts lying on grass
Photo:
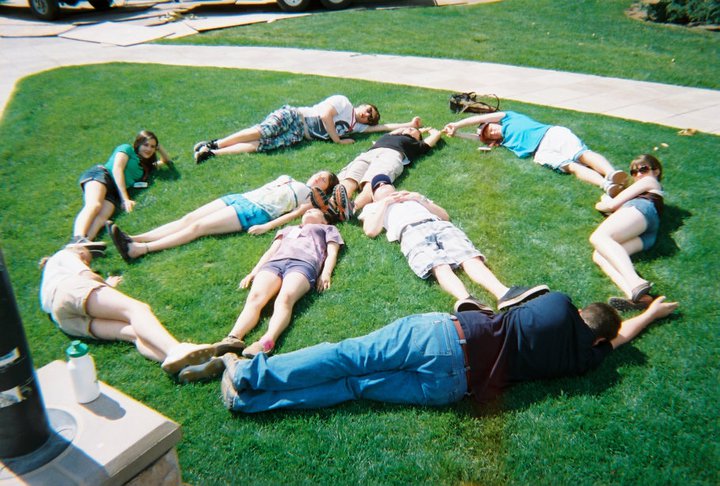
(554, 147)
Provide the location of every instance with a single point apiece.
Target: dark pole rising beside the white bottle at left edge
(24, 425)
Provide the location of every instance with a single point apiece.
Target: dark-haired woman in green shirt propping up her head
(105, 187)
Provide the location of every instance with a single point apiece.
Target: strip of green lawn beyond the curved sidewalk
(586, 36)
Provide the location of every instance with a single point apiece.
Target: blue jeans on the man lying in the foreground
(414, 360)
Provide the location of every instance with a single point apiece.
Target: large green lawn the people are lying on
(648, 415)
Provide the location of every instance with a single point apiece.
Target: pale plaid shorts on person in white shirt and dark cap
(433, 243)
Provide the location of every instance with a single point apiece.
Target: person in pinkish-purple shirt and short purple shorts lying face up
(300, 258)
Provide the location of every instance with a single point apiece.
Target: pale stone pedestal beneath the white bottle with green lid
(115, 439)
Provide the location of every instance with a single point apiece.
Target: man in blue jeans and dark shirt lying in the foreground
(437, 358)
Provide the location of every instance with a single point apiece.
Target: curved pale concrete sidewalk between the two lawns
(667, 105)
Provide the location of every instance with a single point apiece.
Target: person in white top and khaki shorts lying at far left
(85, 305)
